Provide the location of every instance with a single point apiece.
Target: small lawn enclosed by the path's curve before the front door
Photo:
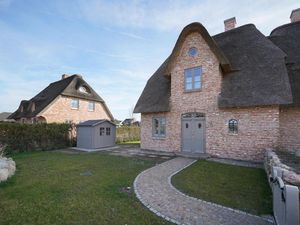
(233, 186)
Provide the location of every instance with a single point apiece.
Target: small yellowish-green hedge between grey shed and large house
(126, 133)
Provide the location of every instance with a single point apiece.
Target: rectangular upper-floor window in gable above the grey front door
(193, 79)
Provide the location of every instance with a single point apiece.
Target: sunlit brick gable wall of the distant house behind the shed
(60, 111)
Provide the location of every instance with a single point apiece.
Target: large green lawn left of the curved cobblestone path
(48, 189)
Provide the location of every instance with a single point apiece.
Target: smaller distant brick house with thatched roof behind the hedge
(69, 100)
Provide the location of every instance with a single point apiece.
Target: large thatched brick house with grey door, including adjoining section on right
(229, 95)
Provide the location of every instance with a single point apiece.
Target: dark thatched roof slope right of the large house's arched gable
(261, 76)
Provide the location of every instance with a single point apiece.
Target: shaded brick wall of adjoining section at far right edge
(289, 128)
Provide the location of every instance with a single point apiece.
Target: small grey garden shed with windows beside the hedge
(94, 134)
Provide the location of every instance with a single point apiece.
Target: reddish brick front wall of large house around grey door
(258, 127)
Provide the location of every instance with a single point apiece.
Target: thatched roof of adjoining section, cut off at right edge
(287, 37)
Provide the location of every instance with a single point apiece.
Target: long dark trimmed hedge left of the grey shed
(28, 137)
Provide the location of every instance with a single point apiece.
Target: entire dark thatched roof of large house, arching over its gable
(254, 71)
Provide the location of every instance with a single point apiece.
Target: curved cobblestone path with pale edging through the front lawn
(154, 189)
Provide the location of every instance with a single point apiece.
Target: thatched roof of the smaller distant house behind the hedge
(66, 87)
